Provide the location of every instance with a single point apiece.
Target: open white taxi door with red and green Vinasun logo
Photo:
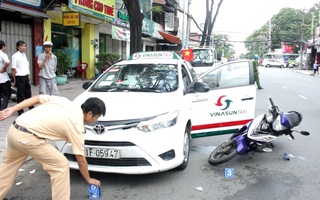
(229, 104)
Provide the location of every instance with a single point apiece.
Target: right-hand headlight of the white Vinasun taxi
(162, 121)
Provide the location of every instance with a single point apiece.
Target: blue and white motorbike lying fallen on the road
(258, 134)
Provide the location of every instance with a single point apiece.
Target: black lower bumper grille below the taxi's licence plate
(123, 162)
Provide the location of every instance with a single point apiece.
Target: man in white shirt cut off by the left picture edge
(5, 82)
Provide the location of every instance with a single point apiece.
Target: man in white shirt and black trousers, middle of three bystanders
(21, 74)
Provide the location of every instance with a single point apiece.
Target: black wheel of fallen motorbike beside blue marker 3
(223, 153)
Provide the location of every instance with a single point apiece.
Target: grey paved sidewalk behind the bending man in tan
(70, 90)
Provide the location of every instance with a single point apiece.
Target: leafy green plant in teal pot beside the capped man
(64, 62)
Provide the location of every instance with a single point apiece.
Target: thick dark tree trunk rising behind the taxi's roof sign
(135, 19)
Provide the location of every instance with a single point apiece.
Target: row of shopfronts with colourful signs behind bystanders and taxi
(82, 29)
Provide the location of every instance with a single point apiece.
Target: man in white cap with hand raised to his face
(47, 62)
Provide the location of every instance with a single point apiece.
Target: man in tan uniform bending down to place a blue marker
(56, 118)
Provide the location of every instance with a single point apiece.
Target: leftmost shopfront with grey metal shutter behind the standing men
(23, 20)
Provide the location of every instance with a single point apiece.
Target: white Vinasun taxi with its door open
(154, 105)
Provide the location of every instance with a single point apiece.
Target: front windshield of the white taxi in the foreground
(139, 78)
